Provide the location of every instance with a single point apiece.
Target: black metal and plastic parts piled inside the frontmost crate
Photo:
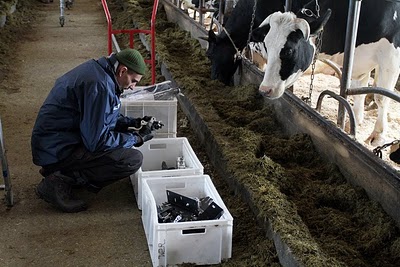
(180, 208)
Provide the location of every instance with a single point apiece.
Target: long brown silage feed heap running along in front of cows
(324, 220)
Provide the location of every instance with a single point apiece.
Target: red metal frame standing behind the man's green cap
(131, 32)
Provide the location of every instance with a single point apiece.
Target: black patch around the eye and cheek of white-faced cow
(296, 55)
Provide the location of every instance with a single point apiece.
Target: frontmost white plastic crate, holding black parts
(198, 242)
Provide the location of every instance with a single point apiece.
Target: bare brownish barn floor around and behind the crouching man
(33, 233)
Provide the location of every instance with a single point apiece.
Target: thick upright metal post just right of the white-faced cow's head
(351, 35)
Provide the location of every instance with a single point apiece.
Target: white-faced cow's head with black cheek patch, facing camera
(289, 50)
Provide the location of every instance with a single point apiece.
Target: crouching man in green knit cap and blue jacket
(80, 139)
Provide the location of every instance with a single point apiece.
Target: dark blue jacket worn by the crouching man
(81, 109)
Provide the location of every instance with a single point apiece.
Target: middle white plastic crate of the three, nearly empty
(156, 151)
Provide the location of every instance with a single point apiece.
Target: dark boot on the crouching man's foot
(55, 190)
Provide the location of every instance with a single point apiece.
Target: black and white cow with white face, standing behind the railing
(377, 48)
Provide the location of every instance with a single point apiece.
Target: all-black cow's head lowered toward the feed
(221, 53)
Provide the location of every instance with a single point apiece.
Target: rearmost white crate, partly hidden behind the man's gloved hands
(163, 110)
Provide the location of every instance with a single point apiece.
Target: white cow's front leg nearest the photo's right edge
(387, 78)
